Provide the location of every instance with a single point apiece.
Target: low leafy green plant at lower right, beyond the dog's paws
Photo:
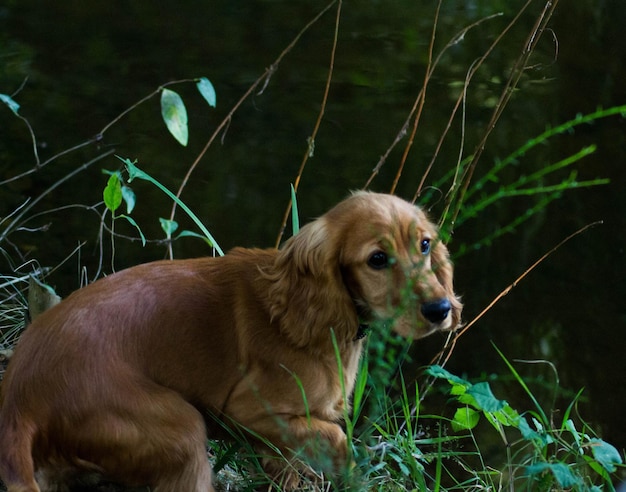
(544, 456)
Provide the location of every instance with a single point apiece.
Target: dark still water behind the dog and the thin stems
(88, 61)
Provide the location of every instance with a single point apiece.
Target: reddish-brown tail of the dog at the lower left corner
(16, 443)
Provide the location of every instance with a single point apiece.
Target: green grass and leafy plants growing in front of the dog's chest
(483, 444)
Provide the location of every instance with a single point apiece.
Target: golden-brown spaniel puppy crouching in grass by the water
(126, 377)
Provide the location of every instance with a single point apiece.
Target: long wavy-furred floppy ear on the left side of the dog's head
(308, 296)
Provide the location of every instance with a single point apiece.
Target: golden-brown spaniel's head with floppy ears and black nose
(372, 257)
